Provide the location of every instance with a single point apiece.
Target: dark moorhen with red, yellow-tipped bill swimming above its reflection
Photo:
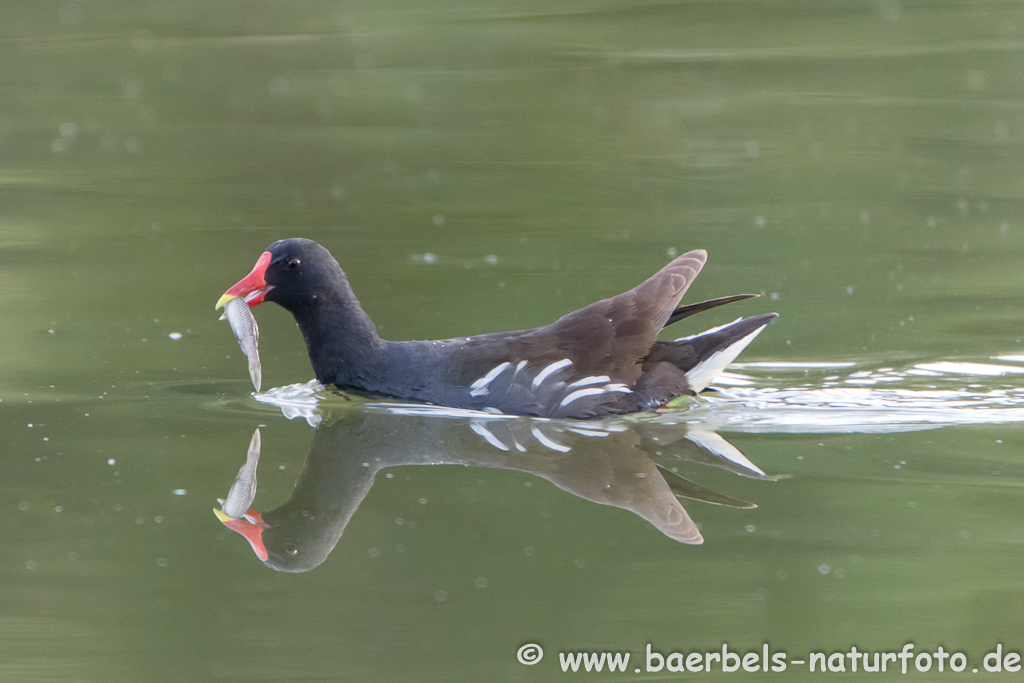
(600, 361)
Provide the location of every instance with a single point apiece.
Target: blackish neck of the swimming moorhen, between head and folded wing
(342, 339)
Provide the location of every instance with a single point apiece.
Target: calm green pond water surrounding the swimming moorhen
(857, 479)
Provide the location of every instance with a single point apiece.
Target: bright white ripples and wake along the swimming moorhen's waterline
(789, 398)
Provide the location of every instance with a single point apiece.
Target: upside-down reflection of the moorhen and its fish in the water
(608, 463)
